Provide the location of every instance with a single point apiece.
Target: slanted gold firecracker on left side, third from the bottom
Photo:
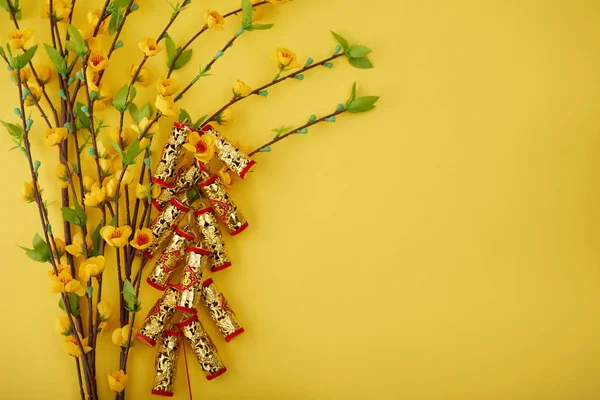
(170, 259)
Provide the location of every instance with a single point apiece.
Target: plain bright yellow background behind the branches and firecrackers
(442, 246)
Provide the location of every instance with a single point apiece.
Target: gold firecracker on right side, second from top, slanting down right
(224, 207)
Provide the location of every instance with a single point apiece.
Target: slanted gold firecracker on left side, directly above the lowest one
(159, 316)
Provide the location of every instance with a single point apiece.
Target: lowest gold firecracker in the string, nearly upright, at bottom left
(166, 363)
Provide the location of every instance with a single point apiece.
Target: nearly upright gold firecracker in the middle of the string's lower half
(190, 286)
